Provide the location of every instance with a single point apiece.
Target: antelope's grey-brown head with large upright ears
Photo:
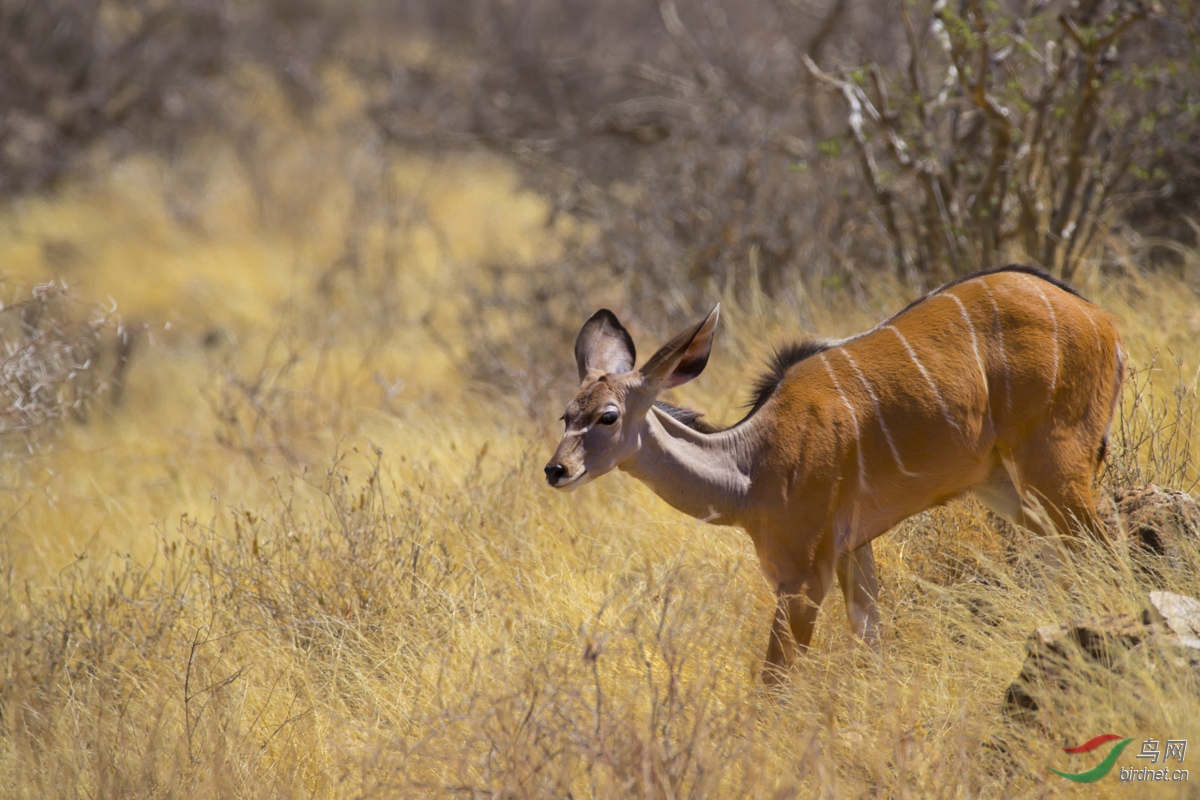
(608, 417)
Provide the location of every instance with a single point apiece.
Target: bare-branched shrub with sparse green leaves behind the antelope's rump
(1018, 133)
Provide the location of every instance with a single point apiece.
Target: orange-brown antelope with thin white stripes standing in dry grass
(1003, 384)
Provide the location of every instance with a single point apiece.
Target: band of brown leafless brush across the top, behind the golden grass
(693, 147)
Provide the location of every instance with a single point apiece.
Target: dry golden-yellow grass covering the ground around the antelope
(305, 560)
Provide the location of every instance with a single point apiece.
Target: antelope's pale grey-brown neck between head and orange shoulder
(705, 476)
